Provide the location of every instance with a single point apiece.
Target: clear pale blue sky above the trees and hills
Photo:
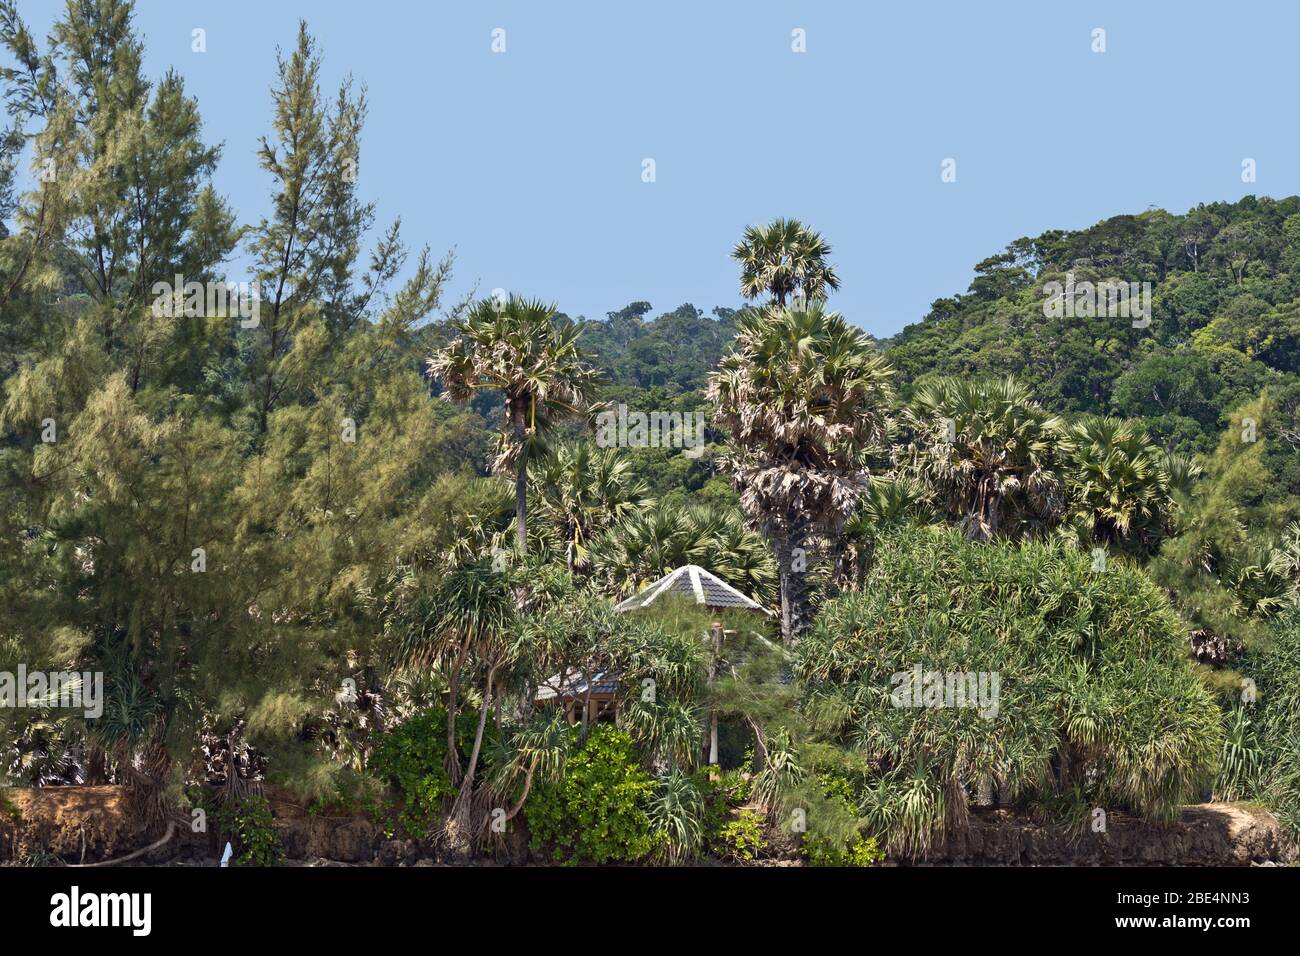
(530, 162)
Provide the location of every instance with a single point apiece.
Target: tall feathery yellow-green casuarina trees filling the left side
(203, 531)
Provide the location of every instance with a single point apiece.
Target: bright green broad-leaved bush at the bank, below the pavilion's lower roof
(600, 811)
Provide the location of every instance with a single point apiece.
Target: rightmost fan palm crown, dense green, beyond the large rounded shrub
(1120, 485)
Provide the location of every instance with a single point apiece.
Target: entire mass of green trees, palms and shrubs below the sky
(236, 520)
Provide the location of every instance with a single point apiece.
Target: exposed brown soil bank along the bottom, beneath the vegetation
(92, 824)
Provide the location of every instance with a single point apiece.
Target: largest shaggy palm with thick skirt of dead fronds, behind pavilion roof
(804, 397)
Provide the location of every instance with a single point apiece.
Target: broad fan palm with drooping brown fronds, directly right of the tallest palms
(990, 453)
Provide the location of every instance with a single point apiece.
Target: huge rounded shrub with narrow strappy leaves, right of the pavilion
(1077, 678)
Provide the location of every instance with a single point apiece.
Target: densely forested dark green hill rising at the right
(1217, 335)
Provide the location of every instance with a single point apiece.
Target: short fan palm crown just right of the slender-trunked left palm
(582, 491)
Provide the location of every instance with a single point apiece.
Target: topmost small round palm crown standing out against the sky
(783, 258)
